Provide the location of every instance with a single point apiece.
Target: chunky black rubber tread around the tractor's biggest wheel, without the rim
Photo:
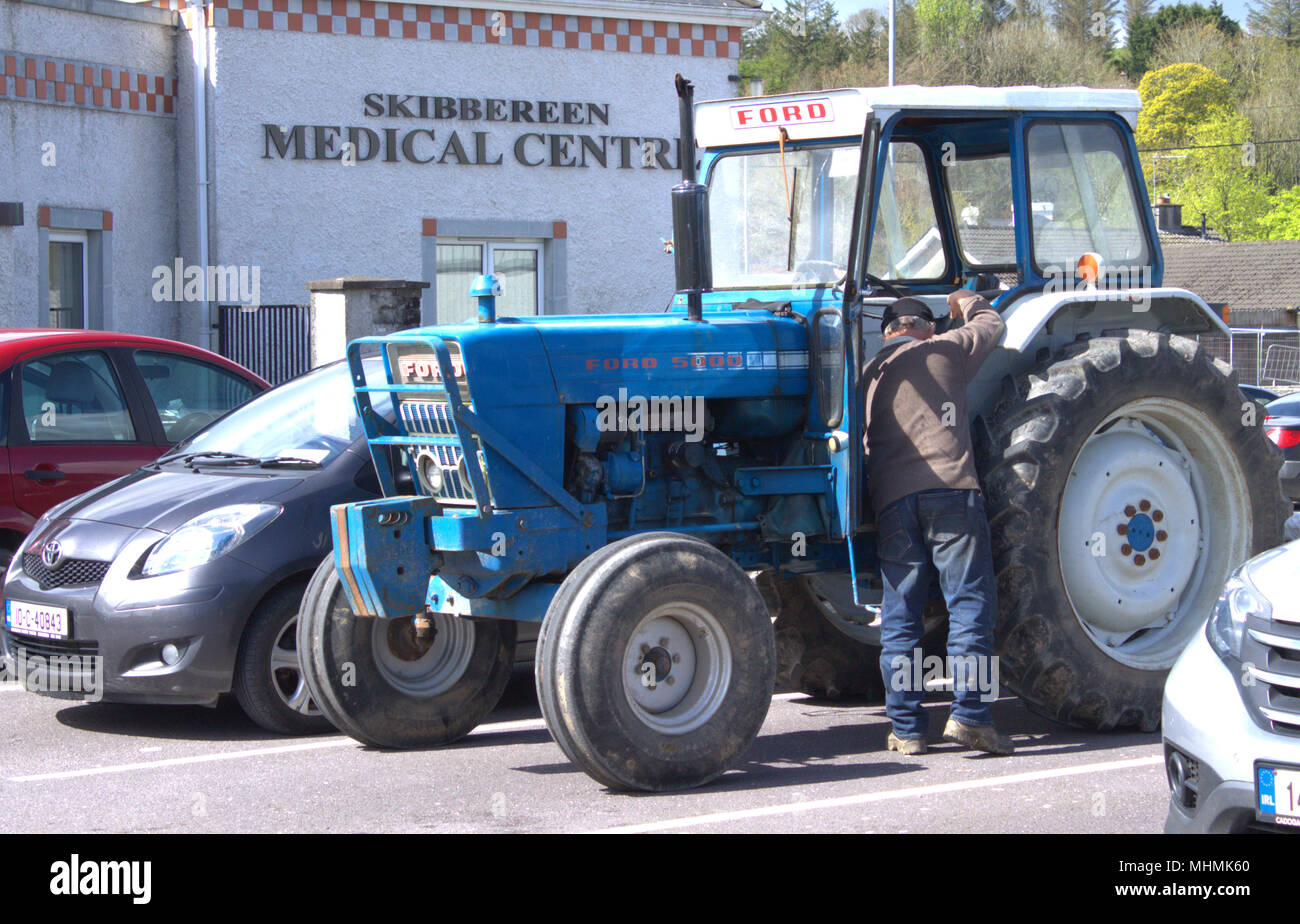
(1037, 422)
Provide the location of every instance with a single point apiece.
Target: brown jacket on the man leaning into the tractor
(918, 435)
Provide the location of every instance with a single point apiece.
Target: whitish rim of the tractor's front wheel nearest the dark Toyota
(423, 665)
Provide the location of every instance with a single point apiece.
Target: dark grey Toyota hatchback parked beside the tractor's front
(183, 580)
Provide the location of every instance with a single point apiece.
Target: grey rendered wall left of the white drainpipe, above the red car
(105, 160)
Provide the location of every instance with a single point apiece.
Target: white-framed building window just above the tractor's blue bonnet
(517, 263)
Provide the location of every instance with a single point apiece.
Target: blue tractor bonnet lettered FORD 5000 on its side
(525, 374)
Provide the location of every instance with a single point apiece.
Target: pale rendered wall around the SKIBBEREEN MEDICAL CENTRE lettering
(310, 220)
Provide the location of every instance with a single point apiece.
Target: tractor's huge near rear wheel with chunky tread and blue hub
(1126, 480)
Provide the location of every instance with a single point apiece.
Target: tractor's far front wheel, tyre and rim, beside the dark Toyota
(387, 686)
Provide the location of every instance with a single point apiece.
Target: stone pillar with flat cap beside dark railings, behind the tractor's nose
(359, 306)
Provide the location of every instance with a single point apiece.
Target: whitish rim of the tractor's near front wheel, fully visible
(677, 669)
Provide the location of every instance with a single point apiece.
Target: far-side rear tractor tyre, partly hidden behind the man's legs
(827, 645)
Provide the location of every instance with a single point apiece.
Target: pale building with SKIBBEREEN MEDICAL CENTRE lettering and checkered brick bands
(538, 140)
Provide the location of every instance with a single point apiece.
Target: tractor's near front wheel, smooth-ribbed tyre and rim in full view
(656, 663)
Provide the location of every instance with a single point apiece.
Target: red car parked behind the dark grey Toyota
(83, 407)
